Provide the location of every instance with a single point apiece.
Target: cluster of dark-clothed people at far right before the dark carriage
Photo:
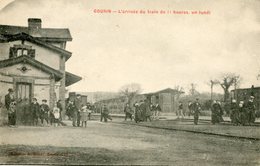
(243, 113)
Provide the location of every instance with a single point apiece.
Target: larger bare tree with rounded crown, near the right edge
(226, 81)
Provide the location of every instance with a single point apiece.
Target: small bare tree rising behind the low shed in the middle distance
(130, 91)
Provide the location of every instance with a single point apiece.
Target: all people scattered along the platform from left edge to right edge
(241, 113)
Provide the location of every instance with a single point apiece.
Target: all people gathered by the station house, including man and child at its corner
(35, 114)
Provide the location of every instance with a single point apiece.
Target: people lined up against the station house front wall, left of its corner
(32, 113)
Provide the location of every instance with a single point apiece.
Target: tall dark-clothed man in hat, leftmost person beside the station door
(9, 98)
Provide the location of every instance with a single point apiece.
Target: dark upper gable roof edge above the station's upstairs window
(24, 36)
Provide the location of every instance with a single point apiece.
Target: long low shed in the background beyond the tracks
(167, 99)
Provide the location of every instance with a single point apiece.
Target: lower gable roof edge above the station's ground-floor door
(26, 59)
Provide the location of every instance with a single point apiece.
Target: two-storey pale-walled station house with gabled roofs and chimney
(33, 60)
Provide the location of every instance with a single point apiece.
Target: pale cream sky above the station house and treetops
(157, 51)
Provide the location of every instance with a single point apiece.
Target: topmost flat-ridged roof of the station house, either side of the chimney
(50, 34)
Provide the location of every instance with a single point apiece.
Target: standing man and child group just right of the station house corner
(78, 112)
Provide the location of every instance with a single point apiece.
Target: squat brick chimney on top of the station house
(34, 26)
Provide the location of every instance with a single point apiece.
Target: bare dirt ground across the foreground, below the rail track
(110, 143)
